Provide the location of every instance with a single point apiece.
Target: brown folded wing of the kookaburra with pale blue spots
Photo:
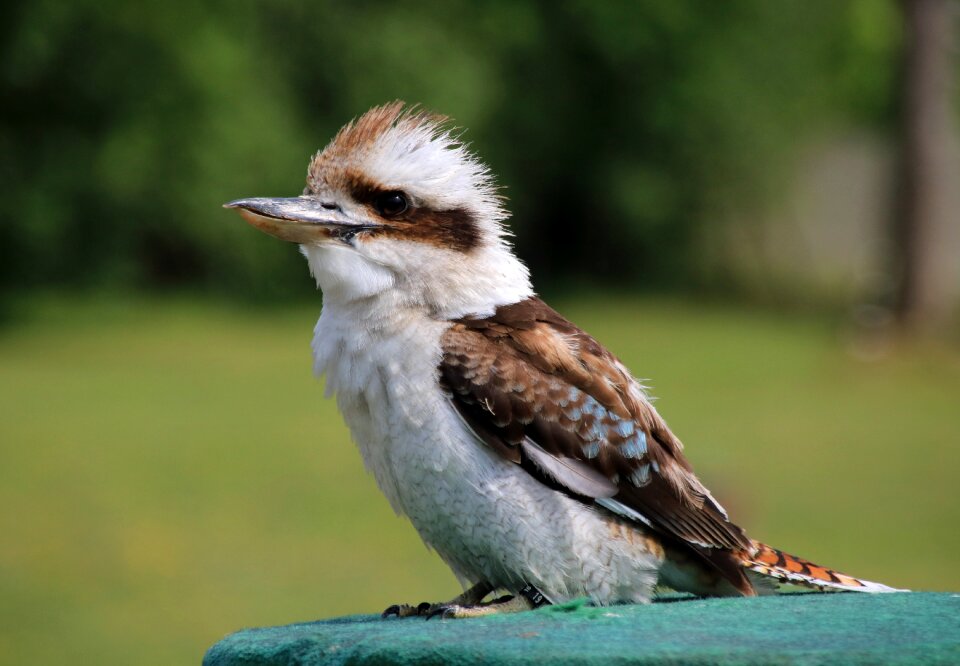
(547, 396)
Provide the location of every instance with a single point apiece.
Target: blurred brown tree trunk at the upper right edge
(925, 131)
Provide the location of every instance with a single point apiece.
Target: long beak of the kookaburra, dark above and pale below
(297, 219)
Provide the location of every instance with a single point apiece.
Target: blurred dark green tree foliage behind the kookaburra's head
(621, 129)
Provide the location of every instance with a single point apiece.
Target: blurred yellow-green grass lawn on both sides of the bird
(170, 472)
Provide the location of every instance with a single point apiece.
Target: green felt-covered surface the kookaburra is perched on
(904, 628)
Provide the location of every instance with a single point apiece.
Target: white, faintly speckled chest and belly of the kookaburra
(486, 517)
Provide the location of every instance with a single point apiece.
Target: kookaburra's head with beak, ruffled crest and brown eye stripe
(396, 204)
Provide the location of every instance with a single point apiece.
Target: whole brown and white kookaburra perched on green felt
(524, 453)
